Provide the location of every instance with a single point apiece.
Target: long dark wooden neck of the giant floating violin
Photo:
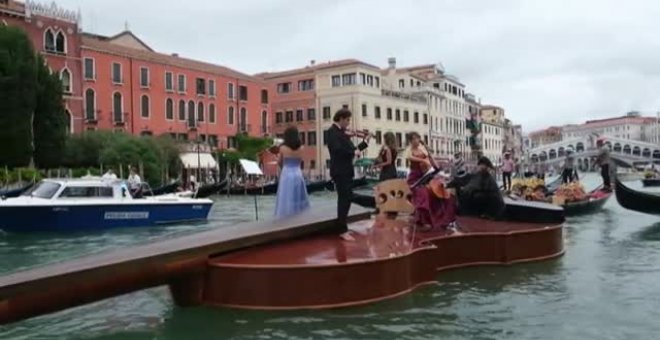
(180, 263)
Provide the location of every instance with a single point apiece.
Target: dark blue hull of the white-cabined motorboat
(97, 217)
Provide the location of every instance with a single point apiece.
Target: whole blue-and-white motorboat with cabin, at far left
(92, 204)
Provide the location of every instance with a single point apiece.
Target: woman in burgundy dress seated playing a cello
(434, 208)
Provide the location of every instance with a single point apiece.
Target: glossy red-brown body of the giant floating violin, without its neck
(387, 260)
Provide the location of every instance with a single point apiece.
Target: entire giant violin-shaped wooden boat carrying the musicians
(294, 263)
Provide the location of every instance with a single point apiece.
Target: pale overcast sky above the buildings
(546, 62)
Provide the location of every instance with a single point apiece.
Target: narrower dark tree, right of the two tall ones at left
(50, 121)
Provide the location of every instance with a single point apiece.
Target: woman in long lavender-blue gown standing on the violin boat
(291, 190)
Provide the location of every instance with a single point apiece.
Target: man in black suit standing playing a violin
(342, 151)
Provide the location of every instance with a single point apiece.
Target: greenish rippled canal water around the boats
(607, 286)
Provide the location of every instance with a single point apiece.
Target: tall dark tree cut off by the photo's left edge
(18, 84)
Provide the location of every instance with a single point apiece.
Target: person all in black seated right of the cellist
(481, 196)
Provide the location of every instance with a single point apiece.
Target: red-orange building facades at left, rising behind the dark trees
(119, 83)
